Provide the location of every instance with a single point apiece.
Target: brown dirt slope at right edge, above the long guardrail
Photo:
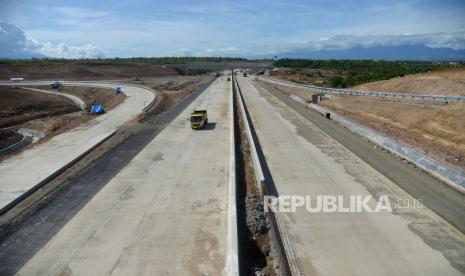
(449, 81)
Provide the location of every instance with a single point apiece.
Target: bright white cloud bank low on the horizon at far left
(15, 44)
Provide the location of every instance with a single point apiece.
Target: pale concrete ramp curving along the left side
(25, 170)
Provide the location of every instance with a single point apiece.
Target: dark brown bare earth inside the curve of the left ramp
(51, 114)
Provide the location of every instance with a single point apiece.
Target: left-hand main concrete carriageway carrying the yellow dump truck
(165, 213)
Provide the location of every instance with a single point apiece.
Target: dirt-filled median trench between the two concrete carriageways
(261, 244)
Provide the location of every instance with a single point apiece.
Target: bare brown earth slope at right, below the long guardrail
(436, 129)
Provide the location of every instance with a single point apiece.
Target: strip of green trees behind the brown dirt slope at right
(355, 72)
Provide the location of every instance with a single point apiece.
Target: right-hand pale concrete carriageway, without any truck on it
(303, 160)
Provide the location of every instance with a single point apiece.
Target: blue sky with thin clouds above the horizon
(125, 28)
